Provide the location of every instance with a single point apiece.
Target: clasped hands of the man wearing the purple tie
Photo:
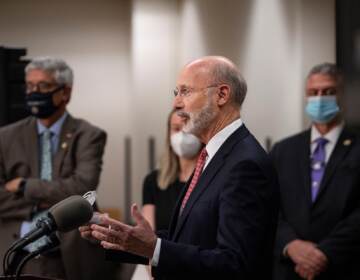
(309, 260)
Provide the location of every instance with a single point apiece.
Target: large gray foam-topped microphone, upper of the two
(64, 216)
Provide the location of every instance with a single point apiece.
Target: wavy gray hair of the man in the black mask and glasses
(60, 70)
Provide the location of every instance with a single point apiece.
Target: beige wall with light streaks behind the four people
(126, 55)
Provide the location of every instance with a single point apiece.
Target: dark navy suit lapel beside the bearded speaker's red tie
(206, 177)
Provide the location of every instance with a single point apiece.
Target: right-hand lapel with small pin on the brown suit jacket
(66, 137)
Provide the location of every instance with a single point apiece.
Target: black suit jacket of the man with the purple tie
(333, 220)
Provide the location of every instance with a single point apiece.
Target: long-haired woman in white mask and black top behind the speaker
(163, 187)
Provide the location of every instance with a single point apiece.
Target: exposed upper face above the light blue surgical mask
(322, 85)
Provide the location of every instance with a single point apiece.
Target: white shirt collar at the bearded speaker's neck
(219, 138)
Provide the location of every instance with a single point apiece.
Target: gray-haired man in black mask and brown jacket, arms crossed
(37, 172)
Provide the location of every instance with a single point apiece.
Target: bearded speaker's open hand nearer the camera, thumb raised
(139, 239)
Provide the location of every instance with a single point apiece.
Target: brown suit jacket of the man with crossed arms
(76, 170)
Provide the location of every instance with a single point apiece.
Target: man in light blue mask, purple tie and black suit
(319, 174)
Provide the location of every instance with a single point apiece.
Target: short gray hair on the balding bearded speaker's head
(227, 73)
